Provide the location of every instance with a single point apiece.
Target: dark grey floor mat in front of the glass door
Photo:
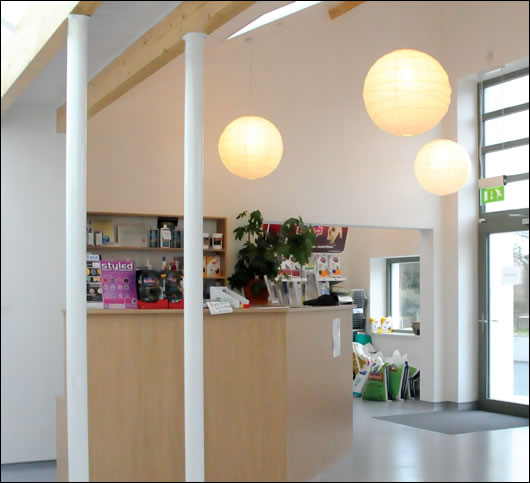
(457, 422)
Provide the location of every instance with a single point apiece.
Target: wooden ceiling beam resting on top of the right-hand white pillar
(158, 46)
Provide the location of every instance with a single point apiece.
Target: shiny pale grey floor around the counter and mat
(384, 451)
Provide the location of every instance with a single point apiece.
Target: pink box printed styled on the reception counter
(118, 281)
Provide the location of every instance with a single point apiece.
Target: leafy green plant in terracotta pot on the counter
(261, 253)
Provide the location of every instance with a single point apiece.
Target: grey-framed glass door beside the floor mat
(504, 314)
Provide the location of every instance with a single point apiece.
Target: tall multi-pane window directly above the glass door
(503, 128)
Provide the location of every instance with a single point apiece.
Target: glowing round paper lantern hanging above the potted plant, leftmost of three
(251, 147)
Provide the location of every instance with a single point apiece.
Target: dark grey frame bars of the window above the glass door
(485, 149)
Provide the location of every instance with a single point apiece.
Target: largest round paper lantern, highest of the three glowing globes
(406, 92)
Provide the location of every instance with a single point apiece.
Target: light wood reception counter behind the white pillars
(278, 404)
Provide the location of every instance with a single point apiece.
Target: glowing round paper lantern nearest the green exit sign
(442, 167)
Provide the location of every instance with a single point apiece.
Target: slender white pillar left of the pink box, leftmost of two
(76, 340)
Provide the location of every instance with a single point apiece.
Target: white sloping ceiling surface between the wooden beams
(113, 27)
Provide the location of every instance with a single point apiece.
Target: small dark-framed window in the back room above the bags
(403, 291)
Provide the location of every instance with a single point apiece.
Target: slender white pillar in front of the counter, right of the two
(193, 281)
